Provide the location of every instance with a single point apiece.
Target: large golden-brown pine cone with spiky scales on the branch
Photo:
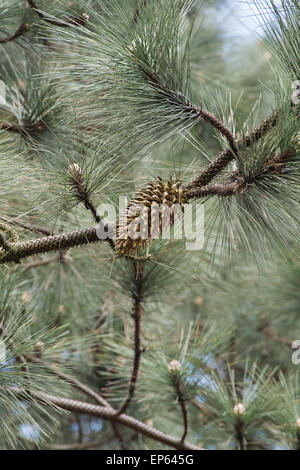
(152, 209)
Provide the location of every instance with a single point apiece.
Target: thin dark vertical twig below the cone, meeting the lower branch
(137, 314)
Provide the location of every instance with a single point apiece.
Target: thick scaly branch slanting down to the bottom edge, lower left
(108, 414)
